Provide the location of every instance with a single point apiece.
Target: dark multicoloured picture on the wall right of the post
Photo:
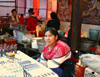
(91, 12)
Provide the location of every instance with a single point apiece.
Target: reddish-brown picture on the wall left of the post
(64, 9)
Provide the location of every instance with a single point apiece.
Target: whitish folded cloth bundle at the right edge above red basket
(92, 61)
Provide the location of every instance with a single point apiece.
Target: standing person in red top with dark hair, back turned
(32, 21)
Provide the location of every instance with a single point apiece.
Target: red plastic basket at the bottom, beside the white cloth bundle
(79, 71)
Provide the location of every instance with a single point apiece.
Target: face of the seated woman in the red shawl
(50, 39)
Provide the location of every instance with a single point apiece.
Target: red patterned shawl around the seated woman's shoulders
(60, 49)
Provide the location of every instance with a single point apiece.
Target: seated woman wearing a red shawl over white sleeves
(55, 52)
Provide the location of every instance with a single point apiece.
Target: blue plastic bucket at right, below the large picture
(93, 34)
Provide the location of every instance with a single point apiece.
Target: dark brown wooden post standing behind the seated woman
(77, 8)
